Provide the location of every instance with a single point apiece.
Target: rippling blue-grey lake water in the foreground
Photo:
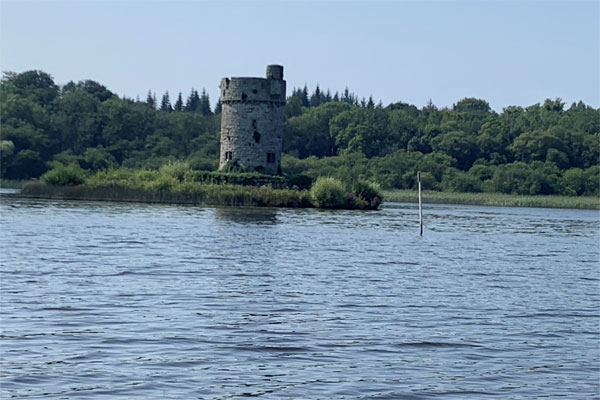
(108, 300)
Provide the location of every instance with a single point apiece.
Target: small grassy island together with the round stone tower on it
(250, 173)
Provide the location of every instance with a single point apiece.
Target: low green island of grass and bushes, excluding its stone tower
(177, 183)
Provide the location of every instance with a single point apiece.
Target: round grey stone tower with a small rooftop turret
(252, 121)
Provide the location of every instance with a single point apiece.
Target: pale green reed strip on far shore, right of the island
(494, 199)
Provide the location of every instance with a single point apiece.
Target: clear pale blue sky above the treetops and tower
(508, 53)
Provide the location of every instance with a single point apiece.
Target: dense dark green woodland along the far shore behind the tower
(546, 148)
